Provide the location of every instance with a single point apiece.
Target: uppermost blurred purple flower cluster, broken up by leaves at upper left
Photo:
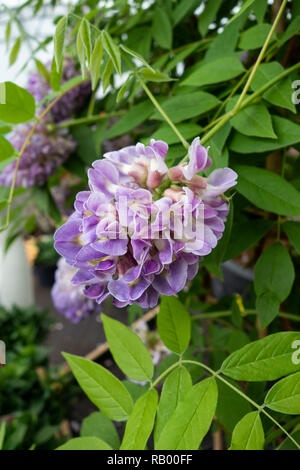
(71, 102)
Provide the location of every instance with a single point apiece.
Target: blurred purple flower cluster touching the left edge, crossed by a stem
(41, 158)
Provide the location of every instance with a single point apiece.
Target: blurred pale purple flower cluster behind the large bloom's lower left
(70, 300)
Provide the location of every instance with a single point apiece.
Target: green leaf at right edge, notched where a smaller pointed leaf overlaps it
(288, 133)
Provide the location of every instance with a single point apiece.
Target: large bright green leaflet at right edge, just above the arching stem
(265, 359)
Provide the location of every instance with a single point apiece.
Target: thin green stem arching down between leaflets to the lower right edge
(216, 374)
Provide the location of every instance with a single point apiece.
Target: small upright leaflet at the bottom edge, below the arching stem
(248, 433)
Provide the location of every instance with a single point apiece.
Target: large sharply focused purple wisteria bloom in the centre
(142, 228)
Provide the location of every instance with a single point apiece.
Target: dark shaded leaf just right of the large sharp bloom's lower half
(244, 235)
